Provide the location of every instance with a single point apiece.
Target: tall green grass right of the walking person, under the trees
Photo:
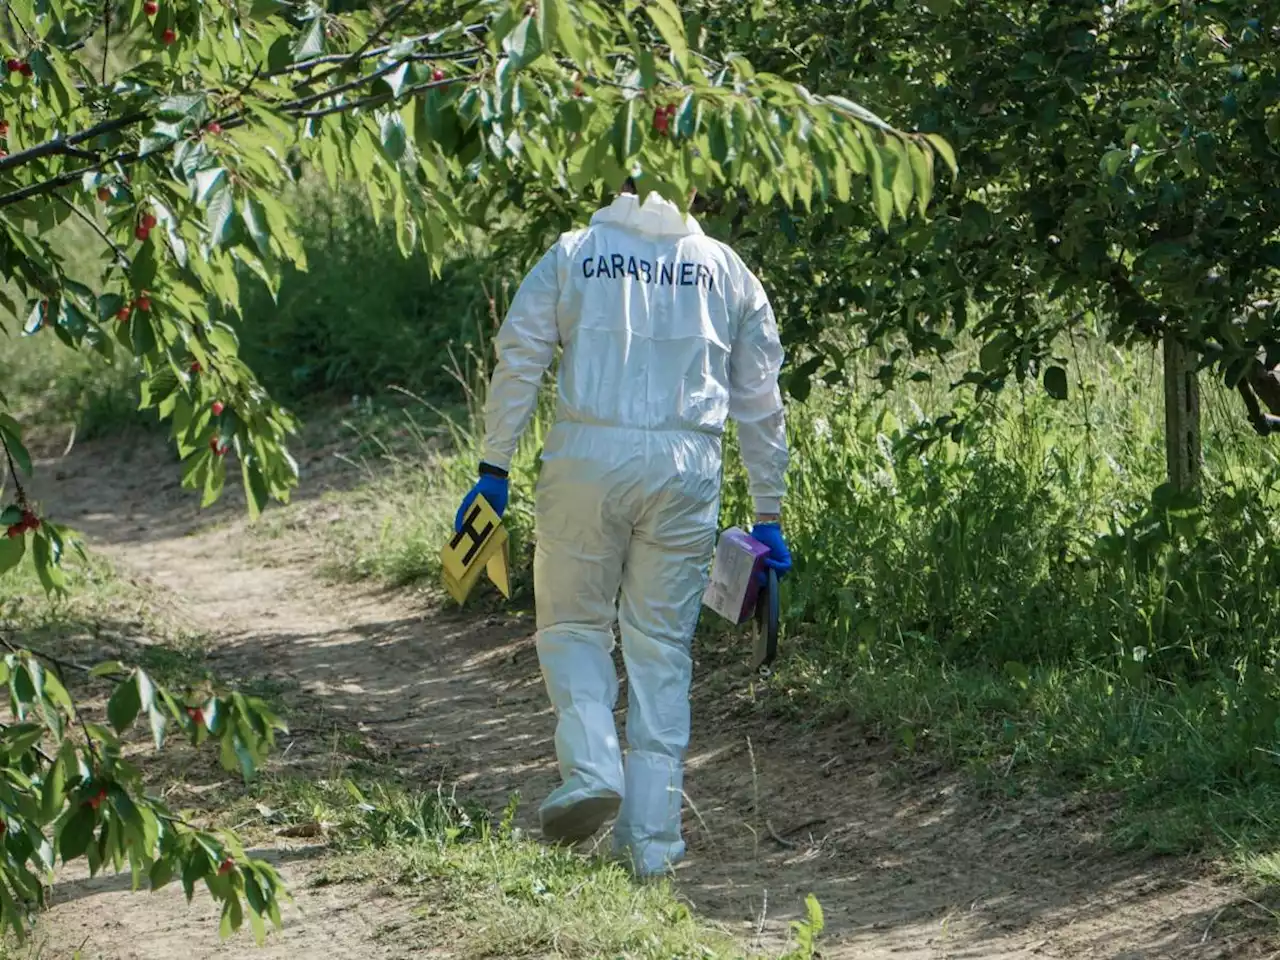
(1022, 605)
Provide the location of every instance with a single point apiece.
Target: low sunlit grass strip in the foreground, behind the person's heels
(491, 890)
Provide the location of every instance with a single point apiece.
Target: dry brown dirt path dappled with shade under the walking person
(907, 862)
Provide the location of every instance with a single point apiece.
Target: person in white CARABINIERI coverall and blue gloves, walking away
(665, 335)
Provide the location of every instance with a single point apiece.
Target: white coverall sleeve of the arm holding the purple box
(756, 401)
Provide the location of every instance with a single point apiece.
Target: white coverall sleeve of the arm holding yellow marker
(527, 345)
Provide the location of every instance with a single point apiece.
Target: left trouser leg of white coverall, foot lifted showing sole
(578, 569)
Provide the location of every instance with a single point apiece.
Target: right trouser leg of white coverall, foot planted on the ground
(662, 589)
